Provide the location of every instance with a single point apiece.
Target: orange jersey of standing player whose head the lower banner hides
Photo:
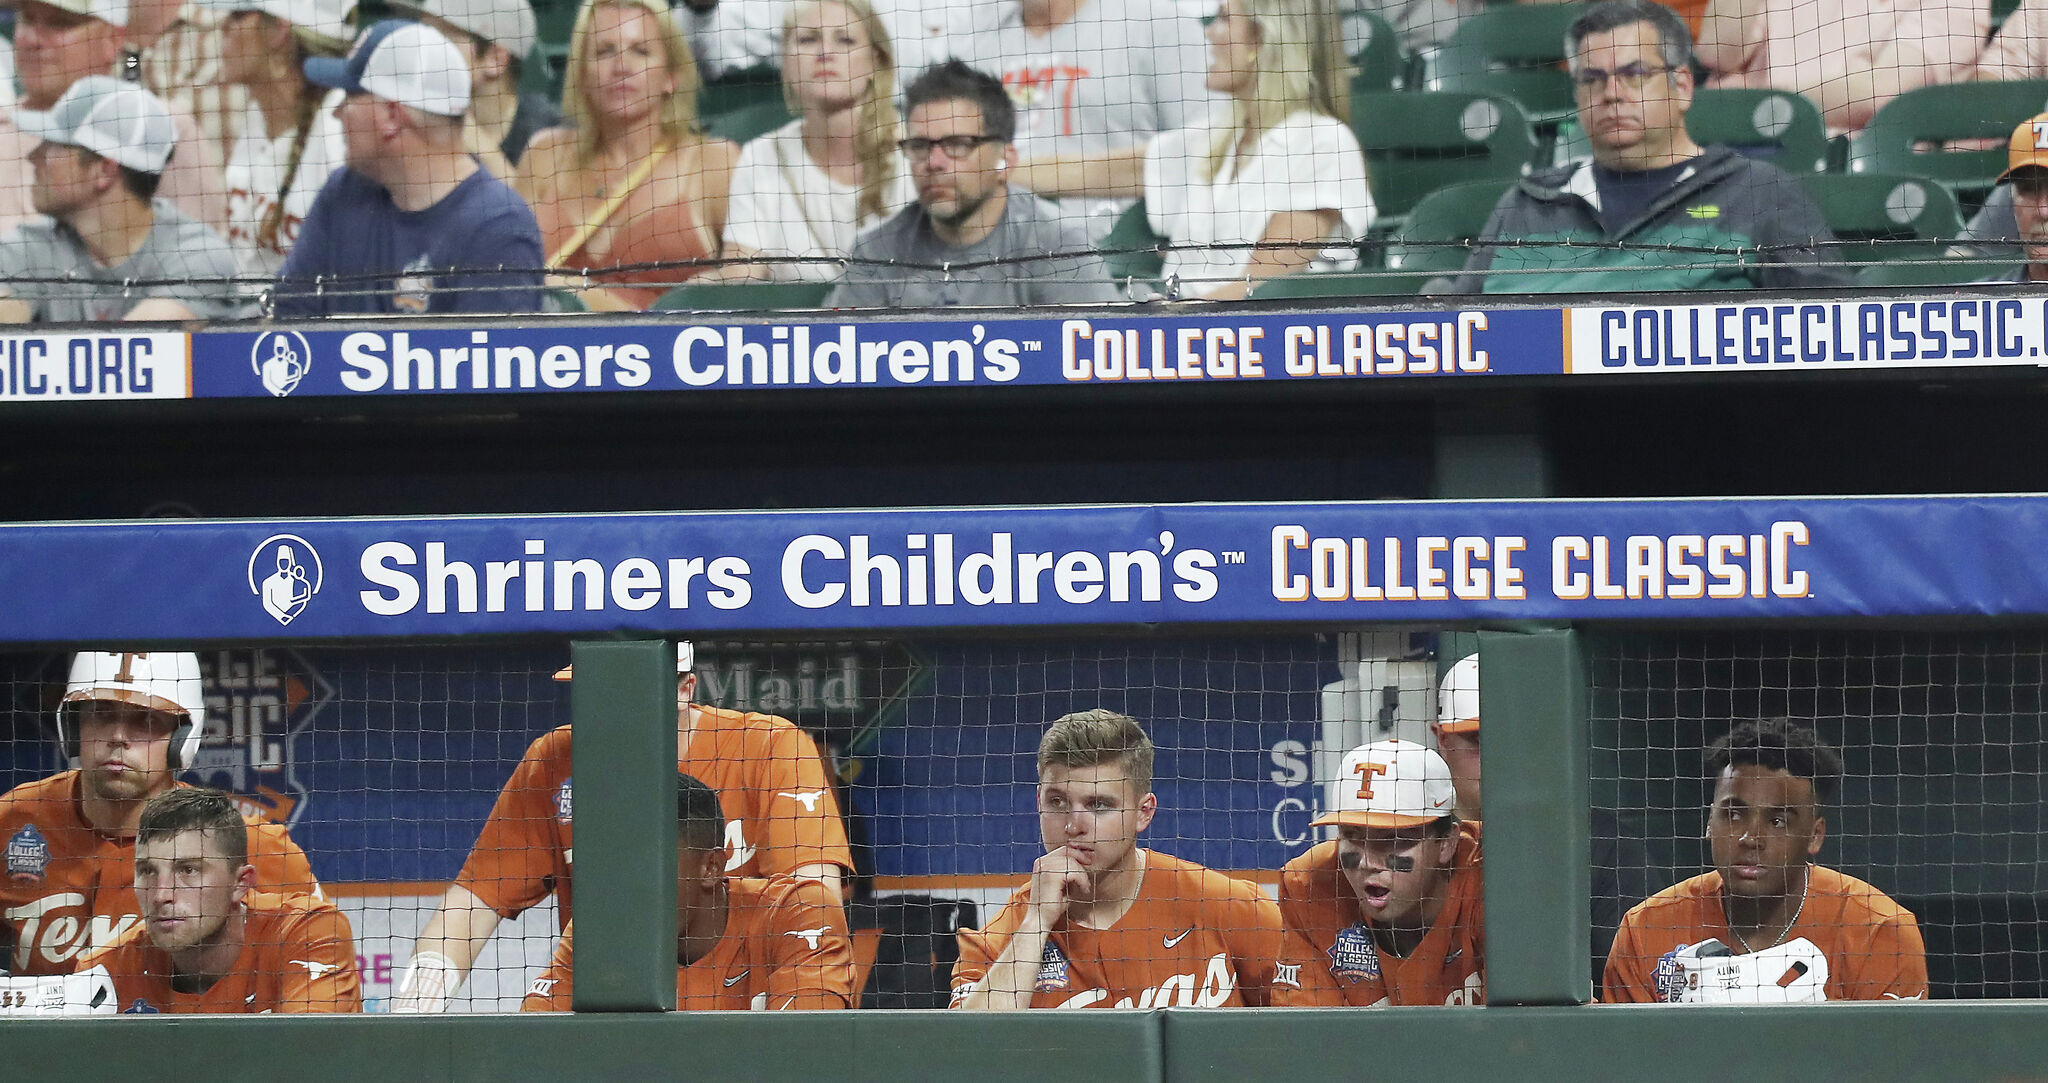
(779, 812)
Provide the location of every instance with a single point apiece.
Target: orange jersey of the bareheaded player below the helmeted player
(298, 955)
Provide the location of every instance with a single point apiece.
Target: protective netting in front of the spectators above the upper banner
(757, 155)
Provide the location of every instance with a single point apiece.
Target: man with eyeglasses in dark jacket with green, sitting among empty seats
(1654, 210)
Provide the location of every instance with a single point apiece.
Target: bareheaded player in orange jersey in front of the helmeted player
(208, 943)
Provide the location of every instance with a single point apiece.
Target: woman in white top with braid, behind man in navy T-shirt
(288, 140)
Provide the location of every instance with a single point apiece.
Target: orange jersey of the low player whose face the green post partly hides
(785, 949)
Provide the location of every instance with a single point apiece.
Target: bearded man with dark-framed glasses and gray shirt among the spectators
(1017, 247)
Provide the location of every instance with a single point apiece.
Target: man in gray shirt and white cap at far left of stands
(110, 249)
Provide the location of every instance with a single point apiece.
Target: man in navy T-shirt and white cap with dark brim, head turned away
(415, 224)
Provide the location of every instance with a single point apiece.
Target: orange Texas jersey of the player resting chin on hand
(1193, 939)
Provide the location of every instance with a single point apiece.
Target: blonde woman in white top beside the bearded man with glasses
(804, 191)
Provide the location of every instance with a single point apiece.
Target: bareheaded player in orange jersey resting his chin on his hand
(1109, 924)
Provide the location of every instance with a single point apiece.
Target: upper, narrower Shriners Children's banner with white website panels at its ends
(562, 357)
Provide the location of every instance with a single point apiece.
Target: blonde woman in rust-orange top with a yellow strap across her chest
(634, 181)
